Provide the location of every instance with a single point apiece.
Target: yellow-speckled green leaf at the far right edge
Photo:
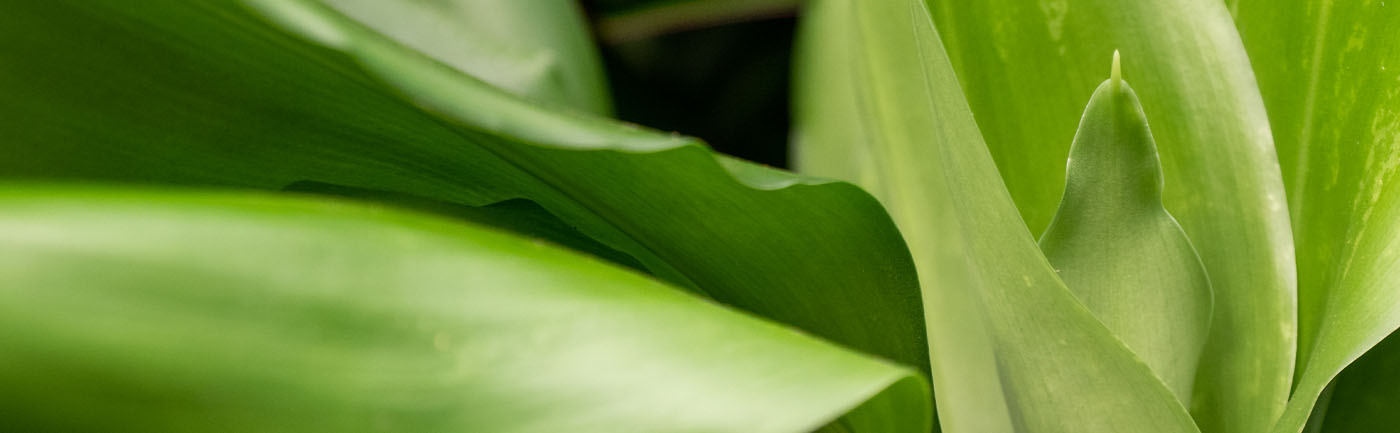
(1329, 72)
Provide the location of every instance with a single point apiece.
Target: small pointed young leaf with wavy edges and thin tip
(1116, 247)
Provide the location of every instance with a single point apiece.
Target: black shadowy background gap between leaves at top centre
(726, 85)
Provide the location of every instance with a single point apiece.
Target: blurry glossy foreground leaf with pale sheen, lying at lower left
(157, 312)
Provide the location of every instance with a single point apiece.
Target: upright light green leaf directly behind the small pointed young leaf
(1028, 69)
